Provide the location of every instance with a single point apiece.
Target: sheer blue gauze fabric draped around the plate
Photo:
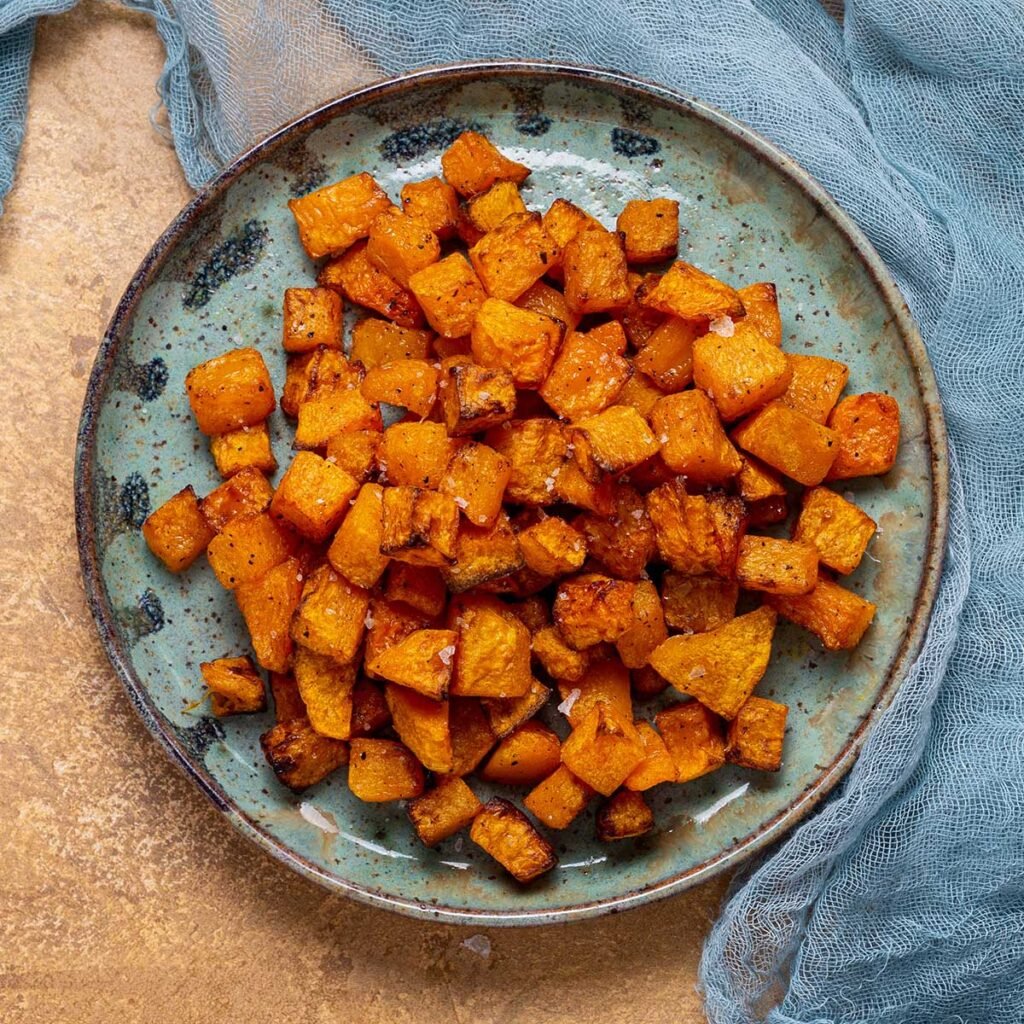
(903, 901)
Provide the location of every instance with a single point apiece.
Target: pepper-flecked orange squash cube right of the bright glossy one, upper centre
(587, 376)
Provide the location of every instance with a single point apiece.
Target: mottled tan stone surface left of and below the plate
(124, 895)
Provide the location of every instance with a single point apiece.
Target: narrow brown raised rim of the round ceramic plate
(688, 106)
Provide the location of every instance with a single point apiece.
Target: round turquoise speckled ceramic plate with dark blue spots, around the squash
(216, 280)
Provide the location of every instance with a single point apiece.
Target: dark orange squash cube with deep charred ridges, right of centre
(698, 535)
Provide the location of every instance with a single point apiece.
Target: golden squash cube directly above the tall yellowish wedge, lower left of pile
(331, 618)
